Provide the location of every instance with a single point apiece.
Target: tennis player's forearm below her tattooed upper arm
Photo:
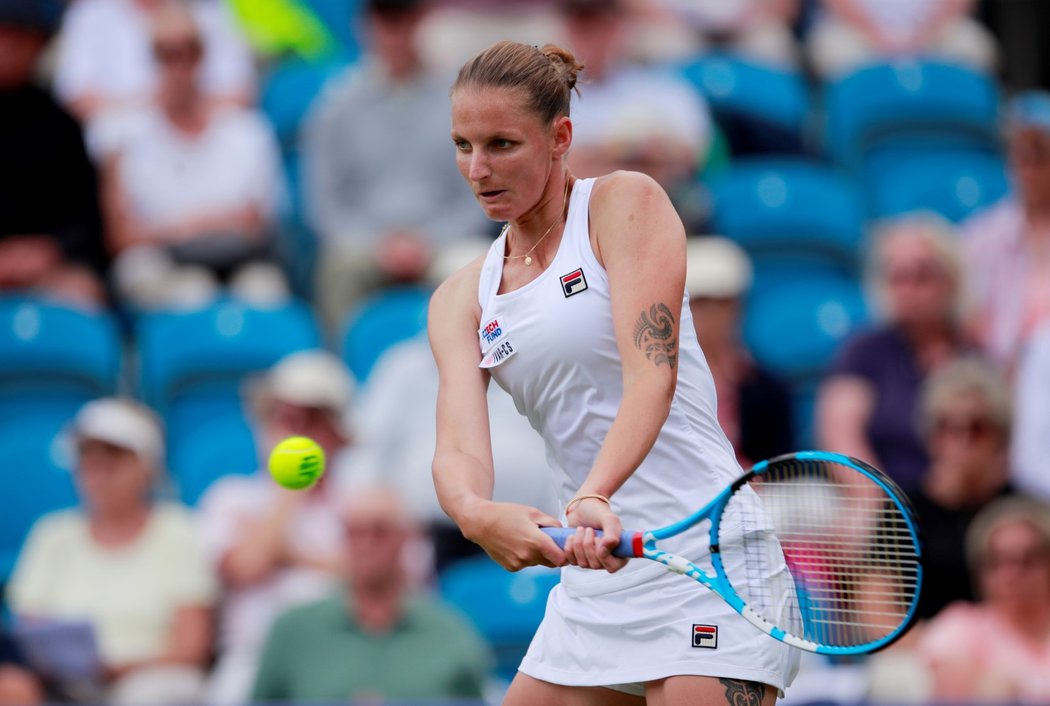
(642, 414)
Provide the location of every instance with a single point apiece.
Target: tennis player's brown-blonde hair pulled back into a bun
(547, 75)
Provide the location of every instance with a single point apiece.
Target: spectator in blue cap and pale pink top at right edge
(1009, 246)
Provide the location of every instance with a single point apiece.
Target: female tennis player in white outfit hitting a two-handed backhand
(579, 313)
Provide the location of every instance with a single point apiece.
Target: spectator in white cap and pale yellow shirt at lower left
(130, 567)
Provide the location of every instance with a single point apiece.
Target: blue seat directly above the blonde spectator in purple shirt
(954, 184)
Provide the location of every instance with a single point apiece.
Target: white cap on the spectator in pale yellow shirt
(123, 424)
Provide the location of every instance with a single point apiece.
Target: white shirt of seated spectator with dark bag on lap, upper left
(169, 176)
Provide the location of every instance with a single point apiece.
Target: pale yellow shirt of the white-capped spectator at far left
(130, 595)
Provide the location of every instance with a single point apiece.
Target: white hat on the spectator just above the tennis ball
(311, 379)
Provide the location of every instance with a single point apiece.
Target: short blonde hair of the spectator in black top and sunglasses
(968, 377)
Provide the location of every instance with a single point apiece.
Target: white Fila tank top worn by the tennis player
(552, 346)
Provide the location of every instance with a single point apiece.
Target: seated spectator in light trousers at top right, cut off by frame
(851, 33)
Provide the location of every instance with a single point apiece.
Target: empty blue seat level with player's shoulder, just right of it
(790, 211)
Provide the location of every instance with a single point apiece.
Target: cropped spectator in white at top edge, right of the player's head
(757, 30)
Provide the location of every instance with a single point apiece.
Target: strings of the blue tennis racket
(823, 552)
